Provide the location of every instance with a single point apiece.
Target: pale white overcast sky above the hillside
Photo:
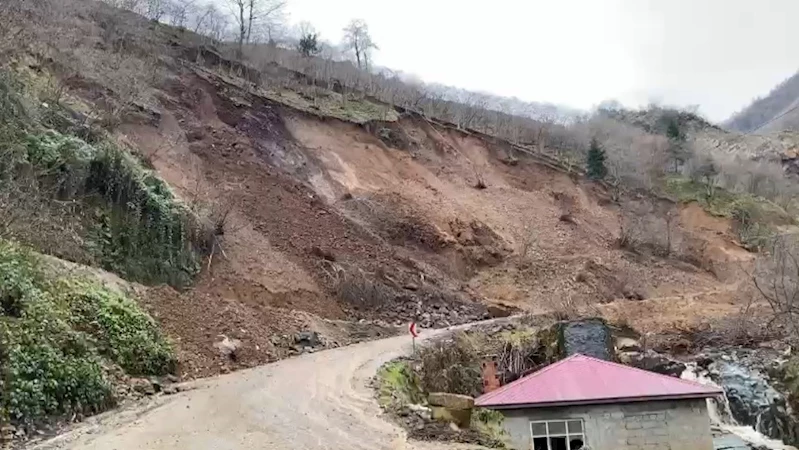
(718, 54)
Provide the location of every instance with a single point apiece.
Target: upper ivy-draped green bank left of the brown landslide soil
(129, 220)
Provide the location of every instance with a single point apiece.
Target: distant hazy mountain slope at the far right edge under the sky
(777, 111)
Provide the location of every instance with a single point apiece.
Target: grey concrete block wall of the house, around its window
(657, 425)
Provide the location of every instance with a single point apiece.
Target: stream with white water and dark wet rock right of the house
(754, 399)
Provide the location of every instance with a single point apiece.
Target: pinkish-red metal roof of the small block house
(580, 379)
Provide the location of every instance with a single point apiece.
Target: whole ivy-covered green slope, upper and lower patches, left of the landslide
(70, 191)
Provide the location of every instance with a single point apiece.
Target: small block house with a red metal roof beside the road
(586, 403)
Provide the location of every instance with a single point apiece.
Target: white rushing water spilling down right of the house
(722, 418)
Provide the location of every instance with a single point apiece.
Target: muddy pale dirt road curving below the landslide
(316, 401)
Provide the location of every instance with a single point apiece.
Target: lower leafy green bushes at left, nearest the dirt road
(60, 340)
